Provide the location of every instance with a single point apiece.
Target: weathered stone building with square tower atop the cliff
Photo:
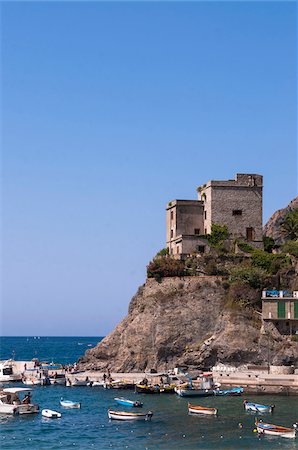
(235, 203)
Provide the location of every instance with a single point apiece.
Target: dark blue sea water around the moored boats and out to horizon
(170, 428)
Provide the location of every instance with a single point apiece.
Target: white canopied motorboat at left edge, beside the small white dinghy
(10, 402)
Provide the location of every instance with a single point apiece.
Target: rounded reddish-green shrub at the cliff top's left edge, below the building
(159, 268)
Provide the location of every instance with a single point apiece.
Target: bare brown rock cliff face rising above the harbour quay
(183, 322)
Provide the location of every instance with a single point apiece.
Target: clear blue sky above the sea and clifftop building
(109, 111)
